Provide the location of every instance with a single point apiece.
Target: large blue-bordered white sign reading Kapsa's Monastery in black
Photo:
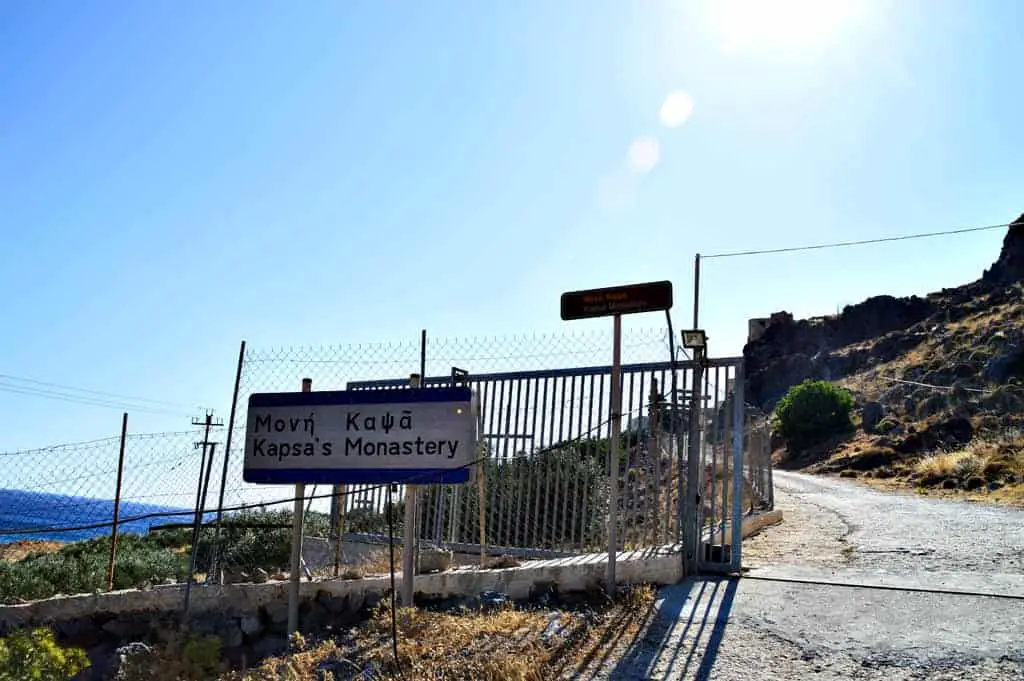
(415, 436)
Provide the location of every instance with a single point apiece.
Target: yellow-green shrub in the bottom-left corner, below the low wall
(36, 656)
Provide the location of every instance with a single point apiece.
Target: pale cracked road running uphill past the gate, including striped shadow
(883, 559)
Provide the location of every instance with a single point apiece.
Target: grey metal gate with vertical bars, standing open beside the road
(543, 489)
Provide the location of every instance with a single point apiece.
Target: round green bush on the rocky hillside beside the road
(814, 412)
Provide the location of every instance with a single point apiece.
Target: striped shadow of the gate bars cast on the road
(679, 640)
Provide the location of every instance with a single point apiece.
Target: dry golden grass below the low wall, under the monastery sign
(508, 645)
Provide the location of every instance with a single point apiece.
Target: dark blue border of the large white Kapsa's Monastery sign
(461, 397)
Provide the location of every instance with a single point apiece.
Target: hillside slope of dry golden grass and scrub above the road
(949, 428)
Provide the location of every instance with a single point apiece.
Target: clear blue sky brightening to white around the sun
(178, 178)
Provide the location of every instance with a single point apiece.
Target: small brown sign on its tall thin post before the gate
(615, 303)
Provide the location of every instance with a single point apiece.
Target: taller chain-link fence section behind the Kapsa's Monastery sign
(544, 403)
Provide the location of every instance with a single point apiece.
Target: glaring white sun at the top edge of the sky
(747, 25)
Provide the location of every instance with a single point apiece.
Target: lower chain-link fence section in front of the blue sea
(66, 493)
